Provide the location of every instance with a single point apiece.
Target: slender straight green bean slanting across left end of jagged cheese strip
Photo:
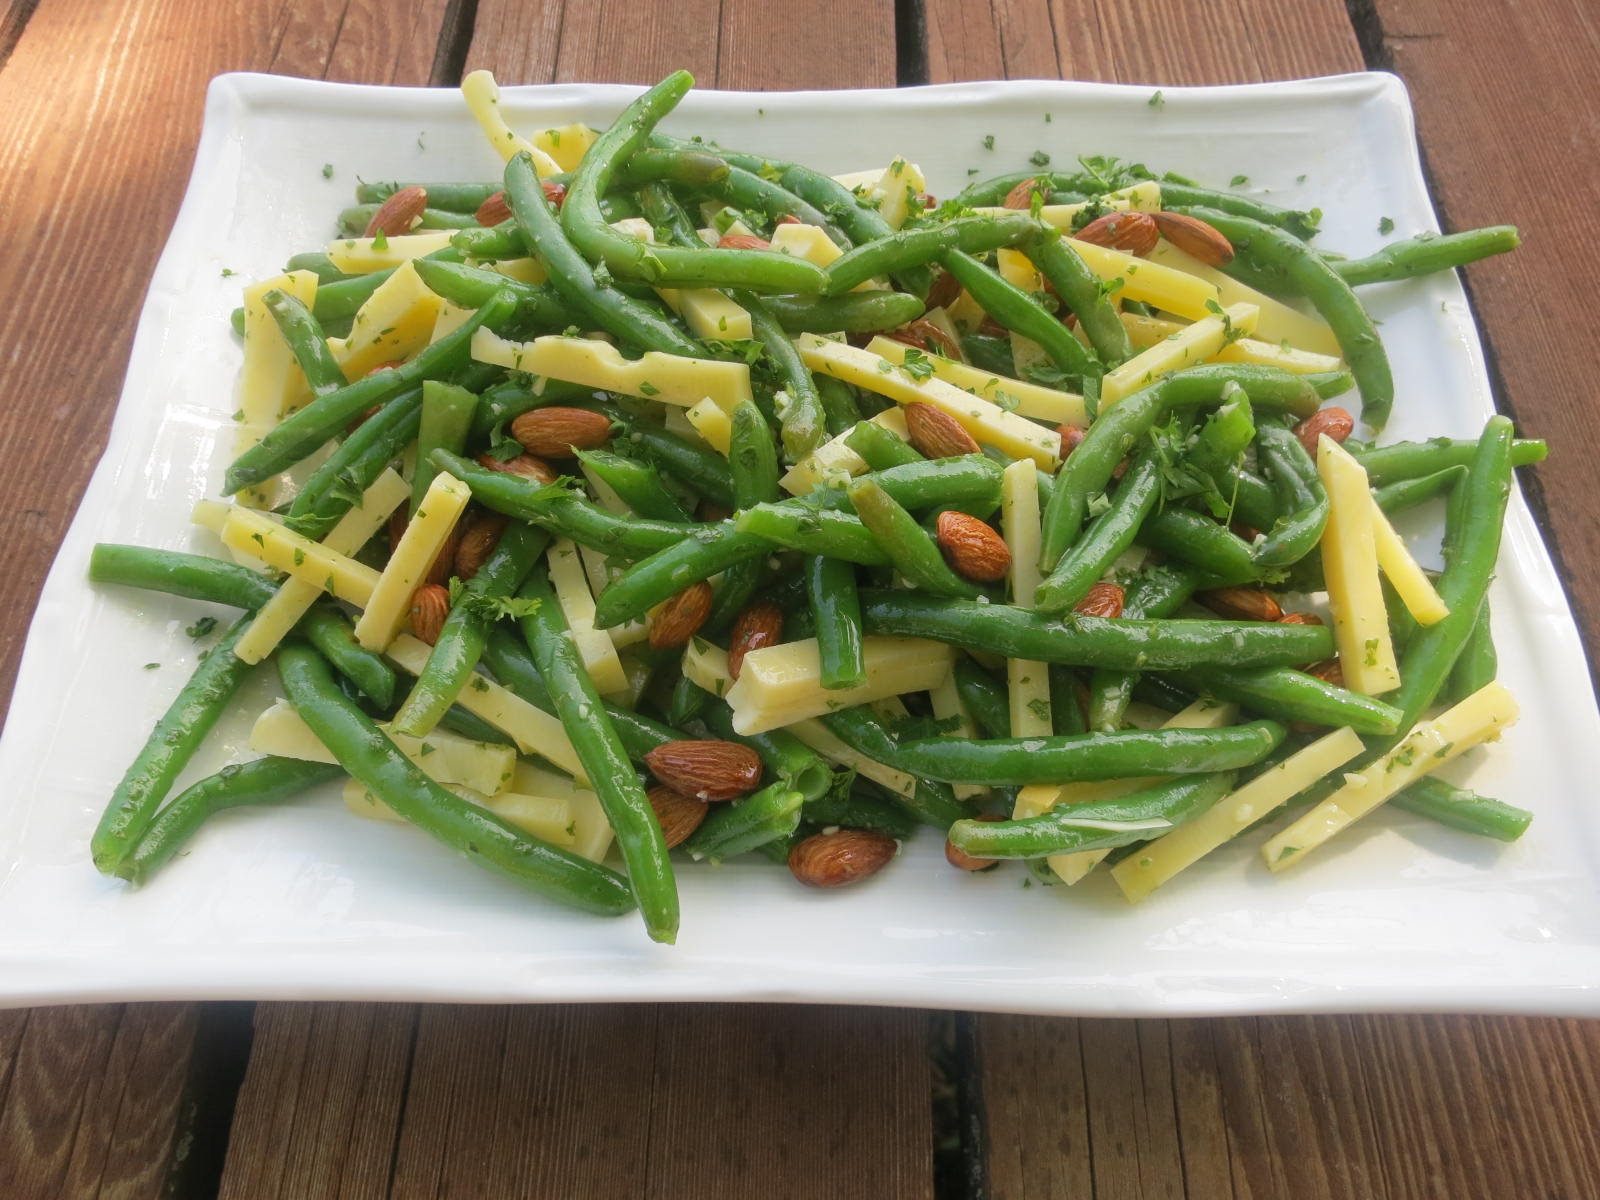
(319, 422)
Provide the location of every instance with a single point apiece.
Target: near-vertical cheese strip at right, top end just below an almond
(1350, 564)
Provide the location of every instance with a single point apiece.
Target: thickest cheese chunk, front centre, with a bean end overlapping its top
(780, 686)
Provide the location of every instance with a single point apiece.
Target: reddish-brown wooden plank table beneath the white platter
(103, 106)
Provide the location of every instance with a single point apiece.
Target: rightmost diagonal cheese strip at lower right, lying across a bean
(1430, 746)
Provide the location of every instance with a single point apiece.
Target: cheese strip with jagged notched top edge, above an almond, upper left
(668, 378)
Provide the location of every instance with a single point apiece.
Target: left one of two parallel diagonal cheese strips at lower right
(1233, 815)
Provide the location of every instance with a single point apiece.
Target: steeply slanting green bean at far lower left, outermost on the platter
(169, 750)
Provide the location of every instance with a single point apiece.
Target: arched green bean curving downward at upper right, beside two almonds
(1327, 292)
